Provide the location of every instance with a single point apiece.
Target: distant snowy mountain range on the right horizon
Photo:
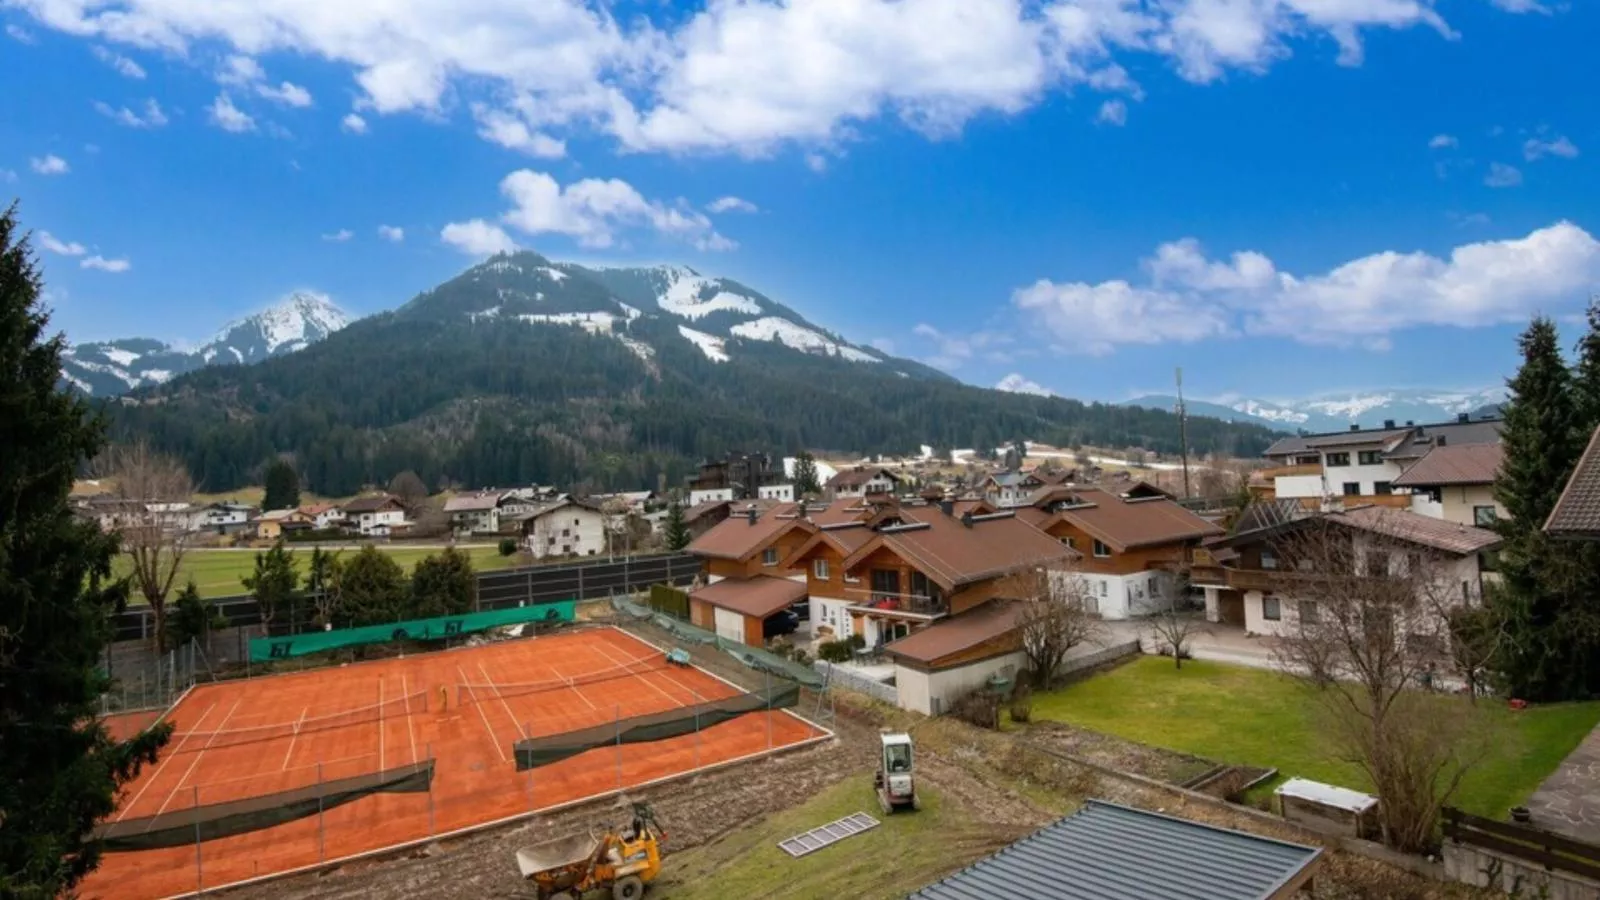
(1337, 412)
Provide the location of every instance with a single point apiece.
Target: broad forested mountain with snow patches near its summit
(526, 374)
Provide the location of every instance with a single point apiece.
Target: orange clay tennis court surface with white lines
(463, 709)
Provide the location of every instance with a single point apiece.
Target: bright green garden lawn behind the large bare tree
(1241, 715)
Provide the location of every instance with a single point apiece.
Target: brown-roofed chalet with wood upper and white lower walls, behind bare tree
(1134, 544)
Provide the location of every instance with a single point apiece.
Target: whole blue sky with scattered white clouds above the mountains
(1282, 196)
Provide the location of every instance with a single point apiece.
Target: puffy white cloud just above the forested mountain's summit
(594, 211)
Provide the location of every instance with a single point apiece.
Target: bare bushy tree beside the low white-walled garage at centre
(1055, 617)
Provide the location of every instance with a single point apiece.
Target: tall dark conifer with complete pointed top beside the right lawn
(1540, 449)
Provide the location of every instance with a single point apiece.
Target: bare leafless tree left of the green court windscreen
(156, 523)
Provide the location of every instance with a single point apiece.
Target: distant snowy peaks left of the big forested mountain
(116, 368)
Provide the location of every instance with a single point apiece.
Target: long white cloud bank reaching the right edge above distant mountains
(1188, 297)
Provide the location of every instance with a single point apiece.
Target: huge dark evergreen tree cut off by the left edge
(60, 769)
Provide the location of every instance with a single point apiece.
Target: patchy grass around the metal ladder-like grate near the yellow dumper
(900, 856)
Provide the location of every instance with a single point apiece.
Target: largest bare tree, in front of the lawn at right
(1370, 630)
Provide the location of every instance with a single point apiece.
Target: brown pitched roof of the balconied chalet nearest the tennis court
(954, 553)
